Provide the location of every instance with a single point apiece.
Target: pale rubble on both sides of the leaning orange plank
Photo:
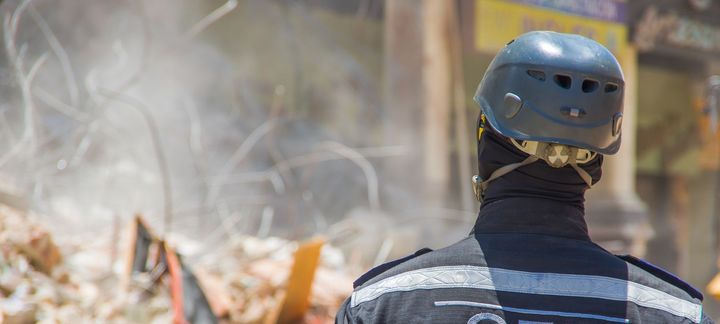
(256, 287)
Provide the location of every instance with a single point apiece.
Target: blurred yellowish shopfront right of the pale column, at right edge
(678, 50)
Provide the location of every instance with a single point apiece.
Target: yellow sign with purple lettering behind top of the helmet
(497, 22)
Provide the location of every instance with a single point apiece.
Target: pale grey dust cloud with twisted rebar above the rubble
(212, 120)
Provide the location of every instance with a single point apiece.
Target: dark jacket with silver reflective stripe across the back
(527, 261)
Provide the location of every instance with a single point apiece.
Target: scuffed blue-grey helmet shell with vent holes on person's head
(555, 88)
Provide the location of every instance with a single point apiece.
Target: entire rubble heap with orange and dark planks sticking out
(249, 280)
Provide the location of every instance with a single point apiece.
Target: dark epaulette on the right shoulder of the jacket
(659, 277)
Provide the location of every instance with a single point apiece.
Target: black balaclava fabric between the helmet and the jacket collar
(536, 180)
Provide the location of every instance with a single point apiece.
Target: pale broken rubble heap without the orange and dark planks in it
(244, 281)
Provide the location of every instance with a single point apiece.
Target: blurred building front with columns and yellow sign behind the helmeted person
(658, 195)
